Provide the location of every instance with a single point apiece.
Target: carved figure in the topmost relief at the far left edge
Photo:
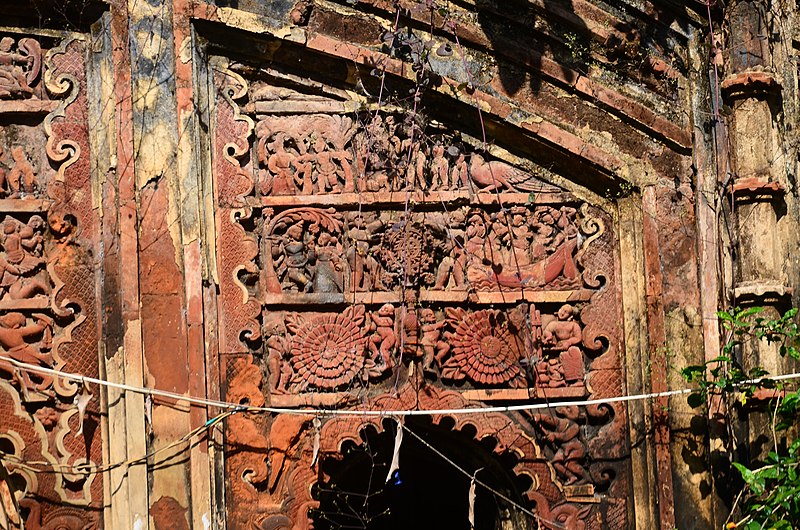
(18, 69)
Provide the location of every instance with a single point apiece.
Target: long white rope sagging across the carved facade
(365, 413)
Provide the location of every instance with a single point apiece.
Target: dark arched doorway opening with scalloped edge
(428, 492)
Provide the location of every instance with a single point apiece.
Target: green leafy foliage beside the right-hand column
(771, 494)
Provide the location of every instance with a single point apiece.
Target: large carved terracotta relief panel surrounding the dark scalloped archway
(367, 259)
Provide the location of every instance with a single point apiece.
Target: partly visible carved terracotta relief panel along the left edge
(47, 287)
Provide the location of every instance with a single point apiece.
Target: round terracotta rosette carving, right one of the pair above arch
(484, 350)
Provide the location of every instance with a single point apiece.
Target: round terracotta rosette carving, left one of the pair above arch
(327, 351)
